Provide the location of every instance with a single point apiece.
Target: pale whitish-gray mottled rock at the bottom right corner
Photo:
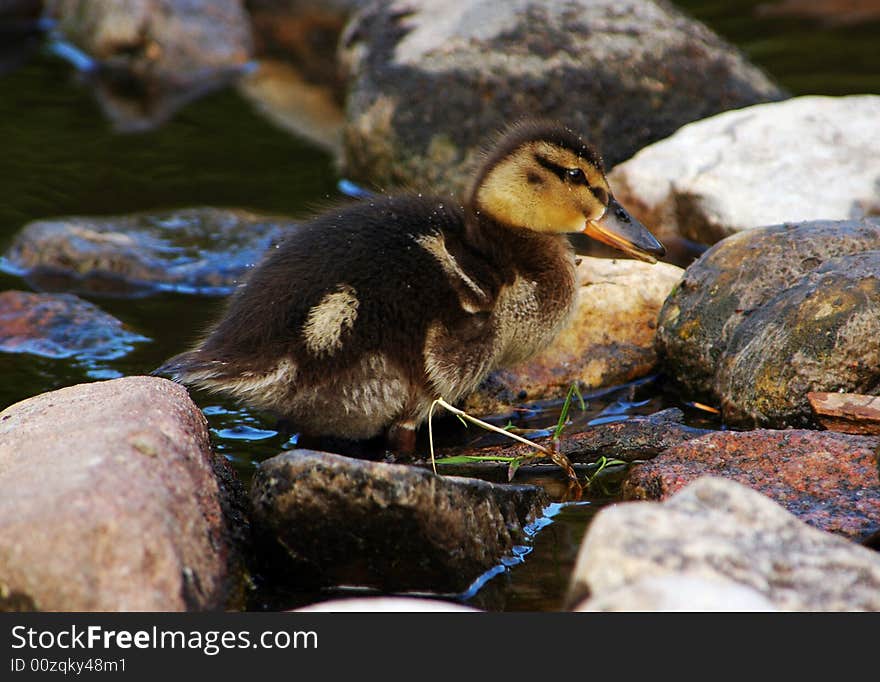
(720, 530)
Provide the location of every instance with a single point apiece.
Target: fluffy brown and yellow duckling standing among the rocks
(358, 320)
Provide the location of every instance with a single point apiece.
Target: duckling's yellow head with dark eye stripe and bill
(544, 177)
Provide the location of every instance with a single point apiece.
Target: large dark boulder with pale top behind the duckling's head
(430, 80)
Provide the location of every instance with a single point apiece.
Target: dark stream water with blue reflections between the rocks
(58, 156)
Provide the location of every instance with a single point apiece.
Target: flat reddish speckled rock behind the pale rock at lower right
(828, 480)
